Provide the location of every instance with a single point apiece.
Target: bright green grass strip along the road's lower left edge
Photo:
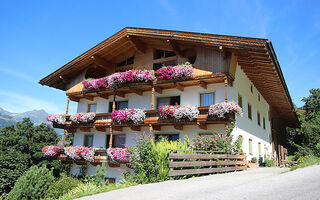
(87, 189)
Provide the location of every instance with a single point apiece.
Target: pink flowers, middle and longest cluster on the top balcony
(115, 80)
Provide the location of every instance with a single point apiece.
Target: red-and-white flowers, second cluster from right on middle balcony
(179, 112)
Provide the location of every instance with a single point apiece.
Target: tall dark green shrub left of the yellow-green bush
(142, 159)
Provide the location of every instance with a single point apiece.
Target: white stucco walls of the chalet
(247, 128)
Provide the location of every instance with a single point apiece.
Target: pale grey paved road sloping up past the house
(260, 183)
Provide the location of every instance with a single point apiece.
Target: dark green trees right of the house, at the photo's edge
(306, 140)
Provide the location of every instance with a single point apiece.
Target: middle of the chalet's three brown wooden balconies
(102, 121)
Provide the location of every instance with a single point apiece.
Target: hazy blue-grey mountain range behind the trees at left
(8, 118)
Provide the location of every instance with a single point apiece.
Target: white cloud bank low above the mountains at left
(15, 102)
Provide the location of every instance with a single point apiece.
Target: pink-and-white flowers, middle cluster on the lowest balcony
(78, 152)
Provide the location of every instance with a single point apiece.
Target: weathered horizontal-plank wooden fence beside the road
(182, 163)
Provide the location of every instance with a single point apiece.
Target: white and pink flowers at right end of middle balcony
(220, 109)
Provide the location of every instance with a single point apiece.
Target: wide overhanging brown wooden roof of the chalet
(256, 57)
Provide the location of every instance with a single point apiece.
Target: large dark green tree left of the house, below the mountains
(20, 148)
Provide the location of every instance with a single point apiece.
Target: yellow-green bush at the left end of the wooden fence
(161, 151)
